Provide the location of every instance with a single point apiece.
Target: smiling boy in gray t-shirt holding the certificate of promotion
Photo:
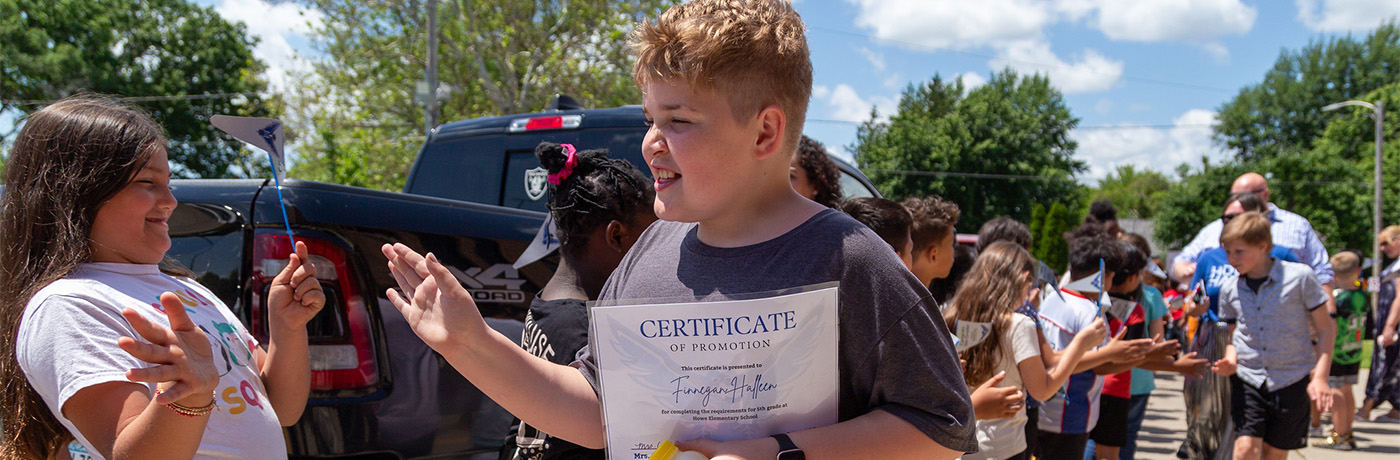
(724, 90)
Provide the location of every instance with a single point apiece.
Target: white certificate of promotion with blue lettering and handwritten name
(722, 370)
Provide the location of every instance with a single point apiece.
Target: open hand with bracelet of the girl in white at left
(181, 356)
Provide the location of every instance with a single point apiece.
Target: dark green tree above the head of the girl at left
(187, 61)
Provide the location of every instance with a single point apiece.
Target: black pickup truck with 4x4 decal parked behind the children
(475, 199)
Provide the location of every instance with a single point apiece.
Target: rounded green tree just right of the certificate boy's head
(997, 152)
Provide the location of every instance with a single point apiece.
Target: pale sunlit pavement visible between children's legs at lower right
(1165, 427)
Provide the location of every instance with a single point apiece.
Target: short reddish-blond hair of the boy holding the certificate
(754, 52)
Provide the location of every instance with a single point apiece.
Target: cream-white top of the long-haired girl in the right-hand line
(1007, 437)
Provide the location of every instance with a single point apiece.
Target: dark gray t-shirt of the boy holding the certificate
(895, 353)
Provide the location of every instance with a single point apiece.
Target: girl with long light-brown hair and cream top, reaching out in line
(1000, 283)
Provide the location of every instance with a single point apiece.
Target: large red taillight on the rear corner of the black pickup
(341, 345)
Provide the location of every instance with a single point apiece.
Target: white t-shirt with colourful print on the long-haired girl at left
(68, 342)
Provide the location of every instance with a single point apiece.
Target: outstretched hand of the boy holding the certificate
(435, 304)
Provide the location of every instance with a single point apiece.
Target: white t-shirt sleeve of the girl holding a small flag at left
(71, 345)
